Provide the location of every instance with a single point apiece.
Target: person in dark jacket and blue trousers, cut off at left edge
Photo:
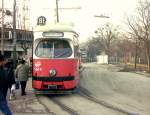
(3, 81)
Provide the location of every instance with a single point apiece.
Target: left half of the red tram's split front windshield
(44, 49)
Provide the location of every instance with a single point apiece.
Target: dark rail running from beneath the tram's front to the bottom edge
(65, 107)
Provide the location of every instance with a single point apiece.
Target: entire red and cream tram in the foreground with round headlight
(56, 60)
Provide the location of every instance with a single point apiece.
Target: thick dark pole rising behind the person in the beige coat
(14, 34)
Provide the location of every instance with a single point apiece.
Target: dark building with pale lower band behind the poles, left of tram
(24, 41)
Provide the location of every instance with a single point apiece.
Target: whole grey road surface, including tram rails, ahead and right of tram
(103, 91)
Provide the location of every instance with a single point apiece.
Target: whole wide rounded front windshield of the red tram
(51, 48)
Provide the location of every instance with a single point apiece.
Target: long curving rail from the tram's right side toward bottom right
(86, 94)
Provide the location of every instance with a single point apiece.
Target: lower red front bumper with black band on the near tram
(53, 83)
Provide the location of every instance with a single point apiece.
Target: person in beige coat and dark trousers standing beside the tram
(22, 74)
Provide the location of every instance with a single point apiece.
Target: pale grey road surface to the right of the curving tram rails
(125, 90)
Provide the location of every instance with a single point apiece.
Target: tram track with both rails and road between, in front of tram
(86, 98)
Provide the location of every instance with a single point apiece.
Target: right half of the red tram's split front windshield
(62, 49)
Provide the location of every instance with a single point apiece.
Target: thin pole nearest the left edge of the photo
(2, 30)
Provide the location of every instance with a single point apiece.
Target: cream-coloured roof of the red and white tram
(58, 27)
